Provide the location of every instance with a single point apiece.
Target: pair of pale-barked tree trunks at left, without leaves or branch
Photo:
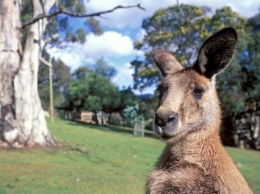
(22, 120)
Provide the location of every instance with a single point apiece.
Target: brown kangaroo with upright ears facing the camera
(188, 118)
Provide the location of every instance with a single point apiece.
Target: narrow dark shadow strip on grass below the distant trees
(112, 128)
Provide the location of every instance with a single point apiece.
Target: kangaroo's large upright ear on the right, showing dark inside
(216, 52)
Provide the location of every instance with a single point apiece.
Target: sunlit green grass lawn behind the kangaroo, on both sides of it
(94, 160)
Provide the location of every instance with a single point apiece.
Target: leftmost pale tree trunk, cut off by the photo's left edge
(9, 64)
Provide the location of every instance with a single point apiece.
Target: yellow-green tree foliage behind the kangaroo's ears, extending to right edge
(181, 29)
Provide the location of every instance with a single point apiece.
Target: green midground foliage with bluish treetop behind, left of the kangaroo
(92, 90)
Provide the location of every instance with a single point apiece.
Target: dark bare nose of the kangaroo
(163, 119)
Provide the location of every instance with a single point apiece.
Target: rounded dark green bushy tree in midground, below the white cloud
(92, 93)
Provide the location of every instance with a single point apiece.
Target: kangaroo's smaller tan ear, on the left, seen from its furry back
(166, 62)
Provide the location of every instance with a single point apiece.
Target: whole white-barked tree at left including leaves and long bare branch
(22, 121)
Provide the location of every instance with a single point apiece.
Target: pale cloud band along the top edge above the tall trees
(133, 17)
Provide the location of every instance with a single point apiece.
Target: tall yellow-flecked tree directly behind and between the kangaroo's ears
(178, 29)
